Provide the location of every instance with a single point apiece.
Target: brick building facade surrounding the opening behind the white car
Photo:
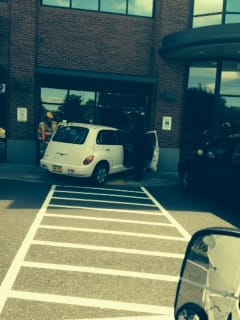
(55, 47)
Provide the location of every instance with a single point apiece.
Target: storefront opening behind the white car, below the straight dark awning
(100, 103)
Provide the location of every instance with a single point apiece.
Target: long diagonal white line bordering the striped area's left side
(13, 271)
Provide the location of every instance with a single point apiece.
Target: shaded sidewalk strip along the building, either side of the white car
(35, 173)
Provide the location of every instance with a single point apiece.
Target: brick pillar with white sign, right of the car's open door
(173, 17)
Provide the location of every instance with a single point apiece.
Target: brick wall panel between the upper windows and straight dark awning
(91, 41)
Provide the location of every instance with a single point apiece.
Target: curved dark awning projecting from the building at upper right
(211, 42)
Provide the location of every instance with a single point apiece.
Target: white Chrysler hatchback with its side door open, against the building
(88, 150)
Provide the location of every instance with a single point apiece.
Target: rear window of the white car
(71, 134)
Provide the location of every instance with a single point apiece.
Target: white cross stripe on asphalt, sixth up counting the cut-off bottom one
(69, 216)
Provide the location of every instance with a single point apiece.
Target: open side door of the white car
(153, 150)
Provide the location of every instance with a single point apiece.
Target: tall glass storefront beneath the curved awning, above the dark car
(212, 103)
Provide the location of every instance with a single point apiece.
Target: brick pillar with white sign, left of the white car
(21, 67)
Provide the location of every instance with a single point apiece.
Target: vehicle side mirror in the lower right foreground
(209, 285)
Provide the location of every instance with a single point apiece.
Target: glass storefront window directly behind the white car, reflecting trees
(112, 108)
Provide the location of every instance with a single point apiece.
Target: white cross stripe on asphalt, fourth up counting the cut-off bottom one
(108, 249)
